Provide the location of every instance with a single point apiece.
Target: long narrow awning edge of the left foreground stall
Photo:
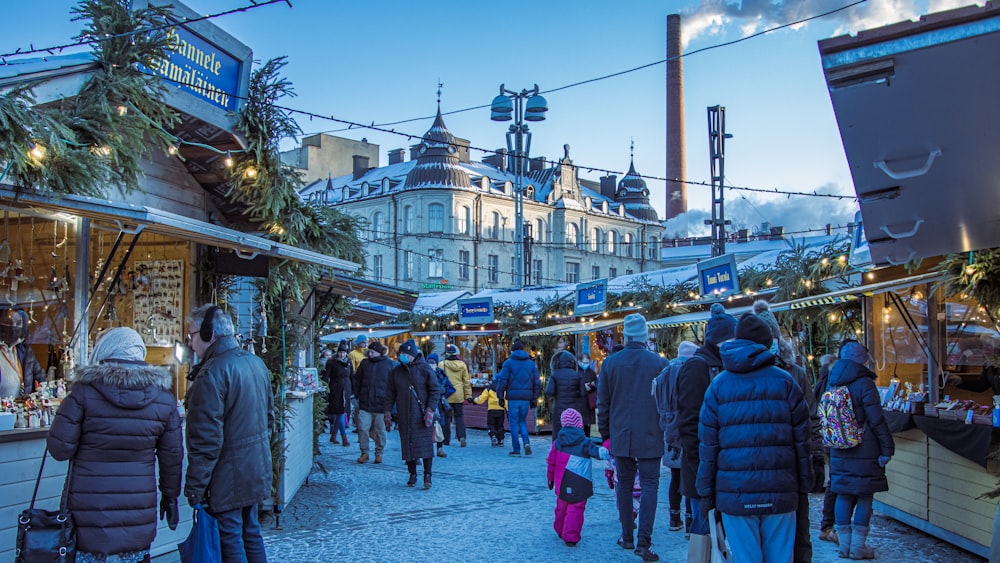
(132, 217)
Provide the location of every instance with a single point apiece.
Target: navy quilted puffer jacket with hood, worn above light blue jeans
(754, 434)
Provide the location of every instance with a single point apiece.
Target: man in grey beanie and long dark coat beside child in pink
(627, 416)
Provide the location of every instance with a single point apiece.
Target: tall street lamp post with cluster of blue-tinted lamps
(526, 105)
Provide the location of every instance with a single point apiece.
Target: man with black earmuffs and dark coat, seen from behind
(230, 416)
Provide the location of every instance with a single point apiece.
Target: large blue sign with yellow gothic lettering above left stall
(199, 67)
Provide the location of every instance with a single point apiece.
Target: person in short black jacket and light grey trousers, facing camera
(371, 385)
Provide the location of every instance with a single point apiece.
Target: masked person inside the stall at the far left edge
(19, 369)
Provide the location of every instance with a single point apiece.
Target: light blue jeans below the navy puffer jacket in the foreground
(761, 539)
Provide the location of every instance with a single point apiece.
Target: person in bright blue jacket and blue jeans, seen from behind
(518, 384)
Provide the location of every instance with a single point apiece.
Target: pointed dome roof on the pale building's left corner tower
(437, 165)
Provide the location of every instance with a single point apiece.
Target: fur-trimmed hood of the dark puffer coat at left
(129, 386)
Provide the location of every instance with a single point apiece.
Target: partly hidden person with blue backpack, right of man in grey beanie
(665, 391)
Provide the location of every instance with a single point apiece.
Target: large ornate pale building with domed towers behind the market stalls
(443, 222)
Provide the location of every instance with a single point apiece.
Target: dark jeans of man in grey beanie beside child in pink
(649, 483)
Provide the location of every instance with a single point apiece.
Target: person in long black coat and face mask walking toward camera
(414, 389)
